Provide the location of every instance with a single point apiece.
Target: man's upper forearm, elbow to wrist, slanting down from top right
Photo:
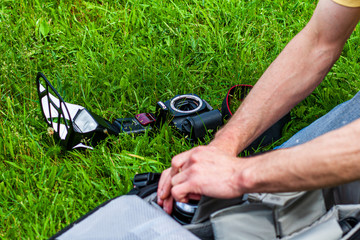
(290, 78)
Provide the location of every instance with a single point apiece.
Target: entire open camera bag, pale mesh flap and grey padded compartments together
(288, 216)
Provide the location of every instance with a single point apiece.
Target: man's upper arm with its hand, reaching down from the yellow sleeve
(296, 72)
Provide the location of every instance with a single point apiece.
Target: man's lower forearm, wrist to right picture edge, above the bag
(329, 160)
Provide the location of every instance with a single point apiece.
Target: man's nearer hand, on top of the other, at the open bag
(207, 171)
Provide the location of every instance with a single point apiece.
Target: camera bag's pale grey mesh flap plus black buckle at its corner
(132, 216)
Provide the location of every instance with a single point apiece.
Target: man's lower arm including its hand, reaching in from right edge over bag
(329, 160)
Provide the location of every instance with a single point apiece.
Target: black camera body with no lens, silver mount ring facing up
(189, 114)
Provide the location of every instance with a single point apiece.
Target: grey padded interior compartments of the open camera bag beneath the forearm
(291, 216)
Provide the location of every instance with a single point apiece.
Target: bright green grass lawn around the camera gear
(118, 58)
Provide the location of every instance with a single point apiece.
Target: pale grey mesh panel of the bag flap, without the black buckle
(128, 218)
